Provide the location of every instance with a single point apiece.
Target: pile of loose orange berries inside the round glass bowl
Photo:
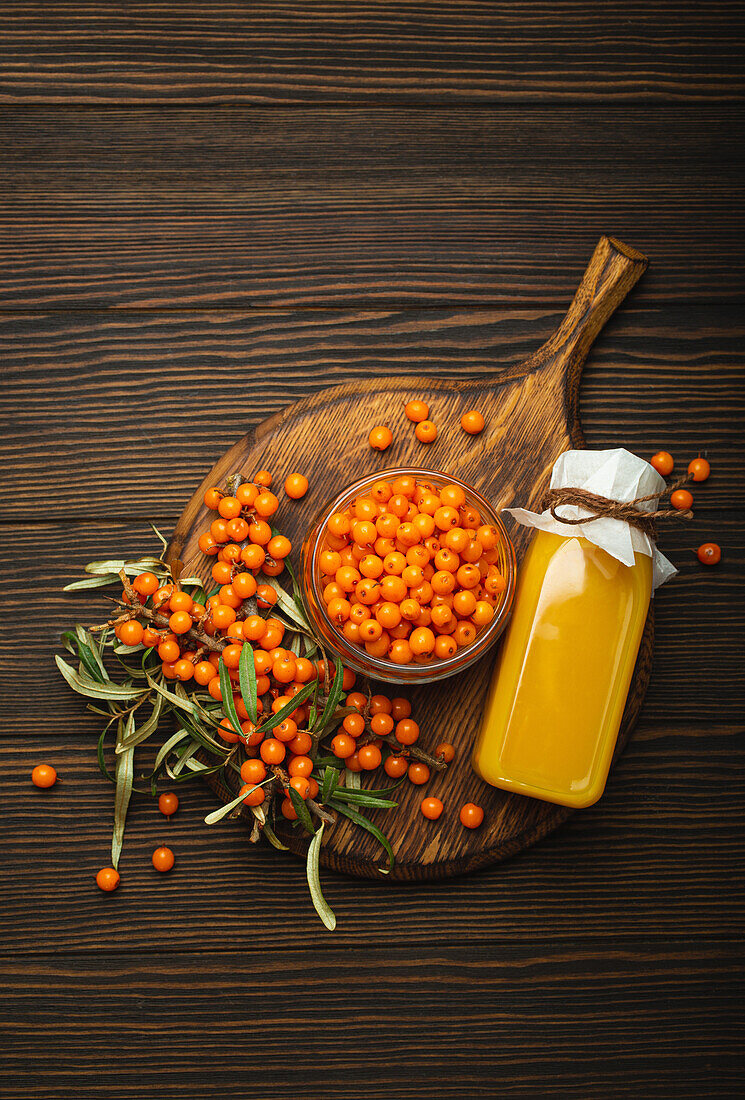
(411, 571)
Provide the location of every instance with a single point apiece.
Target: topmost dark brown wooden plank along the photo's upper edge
(379, 52)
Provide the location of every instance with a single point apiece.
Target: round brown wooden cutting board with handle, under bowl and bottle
(532, 416)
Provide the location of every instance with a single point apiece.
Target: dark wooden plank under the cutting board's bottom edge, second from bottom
(676, 796)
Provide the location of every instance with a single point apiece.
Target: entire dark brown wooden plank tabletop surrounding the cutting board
(210, 211)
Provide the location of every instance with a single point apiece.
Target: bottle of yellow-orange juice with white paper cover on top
(561, 683)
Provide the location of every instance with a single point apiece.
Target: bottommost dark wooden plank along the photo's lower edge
(655, 1022)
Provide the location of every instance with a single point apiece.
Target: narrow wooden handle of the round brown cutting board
(612, 272)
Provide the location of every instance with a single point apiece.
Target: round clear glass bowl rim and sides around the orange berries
(357, 657)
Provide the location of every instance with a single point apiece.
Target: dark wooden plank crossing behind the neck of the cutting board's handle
(135, 409)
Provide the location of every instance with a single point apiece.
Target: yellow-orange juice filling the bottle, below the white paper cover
(561, 684)
